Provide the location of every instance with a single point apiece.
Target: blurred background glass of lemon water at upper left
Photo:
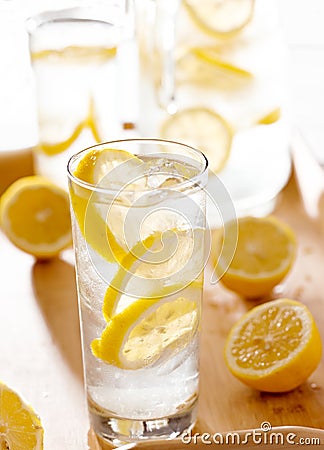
(73, 55)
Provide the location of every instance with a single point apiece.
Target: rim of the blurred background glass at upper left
(92, 13)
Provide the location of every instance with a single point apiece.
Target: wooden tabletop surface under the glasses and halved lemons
(40, 347)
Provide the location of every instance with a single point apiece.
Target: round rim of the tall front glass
(94, 188)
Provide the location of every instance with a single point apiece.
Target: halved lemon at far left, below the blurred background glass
(35, 216)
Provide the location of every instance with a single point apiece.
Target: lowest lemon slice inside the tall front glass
(149, 328)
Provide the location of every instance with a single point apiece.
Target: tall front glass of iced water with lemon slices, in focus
(138, 217)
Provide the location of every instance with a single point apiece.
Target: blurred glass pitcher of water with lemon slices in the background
(229, 97)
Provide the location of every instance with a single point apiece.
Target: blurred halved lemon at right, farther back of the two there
(265, 251)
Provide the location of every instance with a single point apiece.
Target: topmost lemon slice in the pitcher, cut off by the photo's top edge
(221, 18)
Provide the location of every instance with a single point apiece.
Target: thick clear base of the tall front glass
(119, 431)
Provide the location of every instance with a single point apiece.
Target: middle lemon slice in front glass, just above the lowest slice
(160, 257)
